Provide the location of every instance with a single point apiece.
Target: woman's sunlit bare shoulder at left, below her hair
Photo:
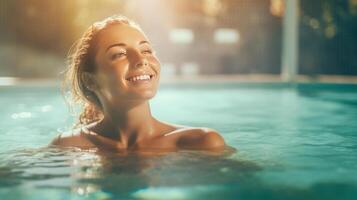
(73, 138)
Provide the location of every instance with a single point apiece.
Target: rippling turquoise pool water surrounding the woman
(293, 141)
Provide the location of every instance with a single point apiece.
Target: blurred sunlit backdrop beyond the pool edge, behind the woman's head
(282, 39)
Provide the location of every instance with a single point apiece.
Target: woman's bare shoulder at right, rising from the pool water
(198, 138)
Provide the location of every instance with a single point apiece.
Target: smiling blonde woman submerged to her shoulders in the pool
(113, 73)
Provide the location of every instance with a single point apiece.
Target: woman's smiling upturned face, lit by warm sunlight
(126, 65)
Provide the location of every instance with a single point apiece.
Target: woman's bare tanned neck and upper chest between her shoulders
(128, 124)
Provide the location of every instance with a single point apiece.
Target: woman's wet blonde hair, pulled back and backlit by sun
(82, 59)
